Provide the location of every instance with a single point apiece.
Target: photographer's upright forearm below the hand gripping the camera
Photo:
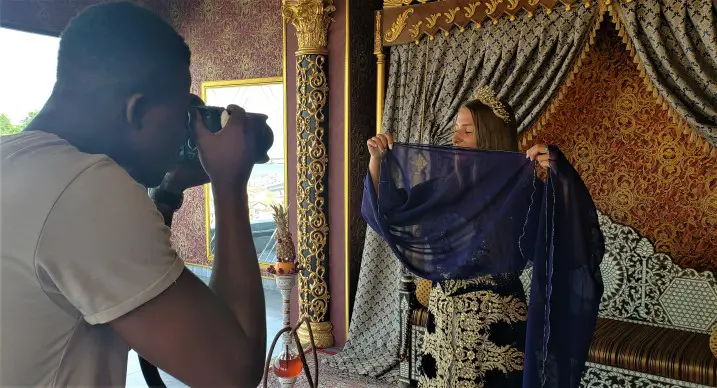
(236, 277)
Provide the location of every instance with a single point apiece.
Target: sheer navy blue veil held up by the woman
(451, 213)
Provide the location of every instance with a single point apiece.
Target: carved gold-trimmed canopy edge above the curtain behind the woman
(406, 22)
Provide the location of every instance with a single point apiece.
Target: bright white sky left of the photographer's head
(27, 71)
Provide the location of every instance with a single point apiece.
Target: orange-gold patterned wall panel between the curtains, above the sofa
(641, 170)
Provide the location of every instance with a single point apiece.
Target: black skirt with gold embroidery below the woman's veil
(475, 335)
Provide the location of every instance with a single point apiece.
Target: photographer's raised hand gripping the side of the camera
(228, 155)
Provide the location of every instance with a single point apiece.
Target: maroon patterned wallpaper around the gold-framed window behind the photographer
(229, 39)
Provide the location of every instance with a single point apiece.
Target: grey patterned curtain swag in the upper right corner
(676, 45)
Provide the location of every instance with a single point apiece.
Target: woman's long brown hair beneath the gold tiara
(492, 132)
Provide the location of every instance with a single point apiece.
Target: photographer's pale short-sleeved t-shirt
(82, 244)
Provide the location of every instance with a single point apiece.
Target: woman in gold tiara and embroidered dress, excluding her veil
(476, 328)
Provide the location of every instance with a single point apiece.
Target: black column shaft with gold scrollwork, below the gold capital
(312, 190)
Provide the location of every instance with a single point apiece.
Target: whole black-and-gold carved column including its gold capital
(311, 20)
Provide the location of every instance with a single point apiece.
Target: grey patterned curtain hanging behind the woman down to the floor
(524, 61)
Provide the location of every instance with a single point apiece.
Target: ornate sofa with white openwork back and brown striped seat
(654, 322)
